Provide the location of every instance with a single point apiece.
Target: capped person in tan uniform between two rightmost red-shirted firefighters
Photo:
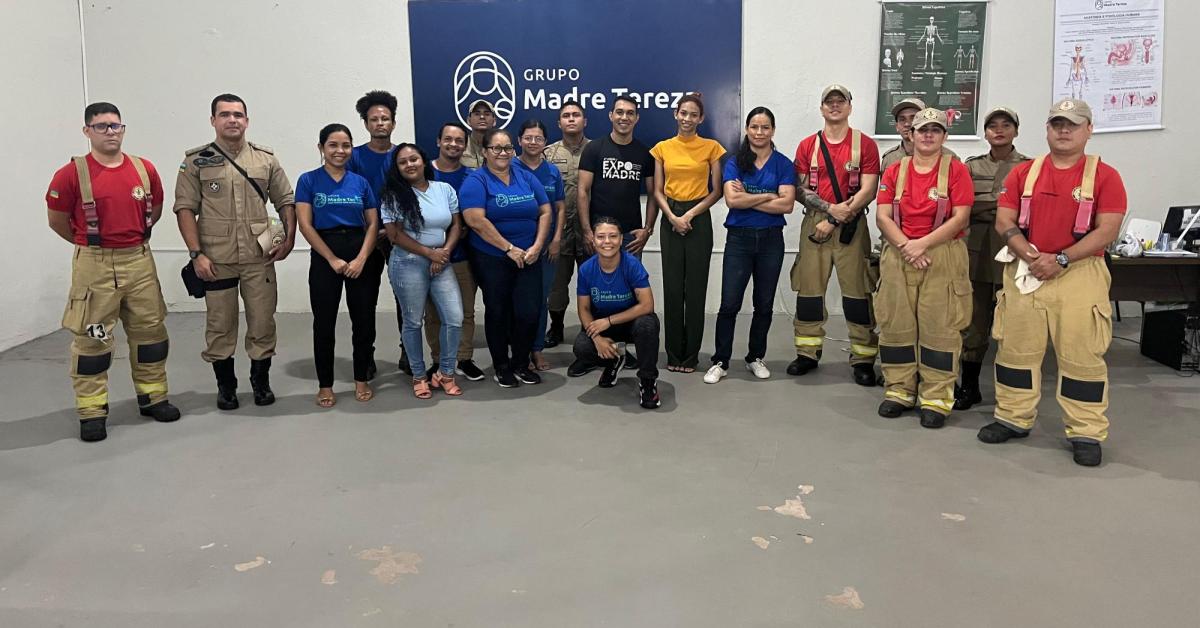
(988, 172)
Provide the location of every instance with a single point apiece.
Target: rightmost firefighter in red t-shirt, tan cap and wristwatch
(1058, 214)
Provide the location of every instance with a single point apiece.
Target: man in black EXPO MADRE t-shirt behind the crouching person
(613, 172)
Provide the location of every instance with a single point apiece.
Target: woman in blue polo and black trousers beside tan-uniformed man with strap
(338, 213)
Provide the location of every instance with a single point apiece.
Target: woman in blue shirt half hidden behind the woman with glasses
(533, 143)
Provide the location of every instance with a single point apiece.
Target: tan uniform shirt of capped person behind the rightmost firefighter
(983, 242)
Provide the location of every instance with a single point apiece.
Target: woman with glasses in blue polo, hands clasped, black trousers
(509, 216)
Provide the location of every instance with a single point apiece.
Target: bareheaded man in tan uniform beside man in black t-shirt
(566, 155)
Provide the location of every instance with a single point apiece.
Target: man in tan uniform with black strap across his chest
(221, 208)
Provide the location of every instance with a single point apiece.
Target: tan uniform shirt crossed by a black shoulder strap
(231, 213)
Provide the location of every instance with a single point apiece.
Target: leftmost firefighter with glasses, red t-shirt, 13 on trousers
(106, 204)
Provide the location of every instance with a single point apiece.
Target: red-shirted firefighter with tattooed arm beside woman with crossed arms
(832, 236)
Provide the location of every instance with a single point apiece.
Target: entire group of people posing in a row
(997, 247)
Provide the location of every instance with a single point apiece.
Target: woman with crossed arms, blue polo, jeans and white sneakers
(760, 189)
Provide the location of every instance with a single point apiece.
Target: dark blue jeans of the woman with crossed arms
(757, 254)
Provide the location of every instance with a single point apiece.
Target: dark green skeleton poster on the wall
(933, 51)
